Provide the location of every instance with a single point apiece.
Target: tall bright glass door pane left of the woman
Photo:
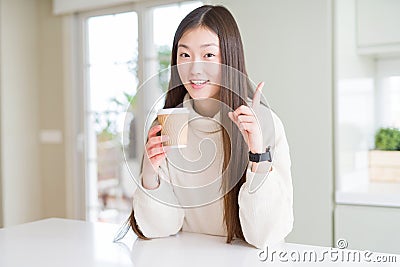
(111, 82)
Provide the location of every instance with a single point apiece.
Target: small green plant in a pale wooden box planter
(384, 160)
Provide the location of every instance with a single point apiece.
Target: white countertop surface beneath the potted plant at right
(371, 194)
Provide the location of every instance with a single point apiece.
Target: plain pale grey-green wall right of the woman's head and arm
(289, 46)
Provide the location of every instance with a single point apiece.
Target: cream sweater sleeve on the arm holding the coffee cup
(157, 211)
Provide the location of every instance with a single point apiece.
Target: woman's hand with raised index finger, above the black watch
(246, 120)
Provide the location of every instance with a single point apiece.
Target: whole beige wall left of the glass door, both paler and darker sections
(33, 173)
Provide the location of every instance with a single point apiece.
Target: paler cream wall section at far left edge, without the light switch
(22, 183)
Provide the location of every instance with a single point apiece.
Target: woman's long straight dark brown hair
(235, 89)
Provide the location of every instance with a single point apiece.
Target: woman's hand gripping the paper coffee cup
(155, 153)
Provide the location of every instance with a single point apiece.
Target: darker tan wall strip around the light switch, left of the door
(51, 109)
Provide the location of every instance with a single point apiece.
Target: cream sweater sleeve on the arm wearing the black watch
(266, 200)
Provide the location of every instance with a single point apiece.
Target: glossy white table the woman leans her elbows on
(60, 242)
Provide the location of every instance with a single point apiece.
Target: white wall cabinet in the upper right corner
(378, 27)
